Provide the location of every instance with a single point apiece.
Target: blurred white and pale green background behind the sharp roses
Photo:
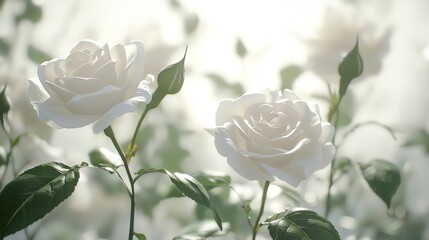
(233, 47)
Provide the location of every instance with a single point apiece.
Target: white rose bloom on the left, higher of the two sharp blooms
(94, 84)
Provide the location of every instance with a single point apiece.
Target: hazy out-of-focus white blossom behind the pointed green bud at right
(336, 35)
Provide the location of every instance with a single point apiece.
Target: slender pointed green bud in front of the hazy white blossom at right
(350, 68)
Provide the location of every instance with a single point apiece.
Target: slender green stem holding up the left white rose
(109, 133)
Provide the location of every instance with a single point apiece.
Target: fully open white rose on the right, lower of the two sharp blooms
(273, 134)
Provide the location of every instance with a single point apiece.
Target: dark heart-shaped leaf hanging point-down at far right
(383, 177)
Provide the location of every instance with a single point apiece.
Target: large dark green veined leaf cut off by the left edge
(35, 193)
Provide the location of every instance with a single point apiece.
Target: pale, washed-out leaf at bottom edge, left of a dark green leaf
(201, 230)
